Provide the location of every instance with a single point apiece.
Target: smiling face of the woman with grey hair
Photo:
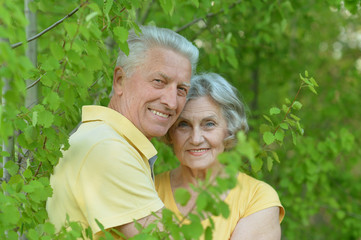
(197, 136)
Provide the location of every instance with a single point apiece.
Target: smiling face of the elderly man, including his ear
(154, 95)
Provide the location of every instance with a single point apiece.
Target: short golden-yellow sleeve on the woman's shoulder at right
(261, 197)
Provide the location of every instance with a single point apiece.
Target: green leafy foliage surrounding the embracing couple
(310, 155)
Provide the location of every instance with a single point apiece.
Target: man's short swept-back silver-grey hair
(155, 37)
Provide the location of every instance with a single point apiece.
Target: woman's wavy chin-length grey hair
(226, 96)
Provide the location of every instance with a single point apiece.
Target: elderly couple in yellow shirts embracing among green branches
(107, 173)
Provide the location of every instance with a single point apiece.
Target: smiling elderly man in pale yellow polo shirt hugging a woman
(106, 174)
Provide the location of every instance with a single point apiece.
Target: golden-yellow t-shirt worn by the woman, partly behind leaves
(249, 196)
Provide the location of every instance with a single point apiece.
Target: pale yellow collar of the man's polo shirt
(121, 125)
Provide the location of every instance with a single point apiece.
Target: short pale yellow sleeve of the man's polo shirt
(115, 185)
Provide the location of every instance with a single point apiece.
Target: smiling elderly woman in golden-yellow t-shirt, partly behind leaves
(208, 126)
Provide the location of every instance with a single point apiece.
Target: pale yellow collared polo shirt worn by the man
(105, 174)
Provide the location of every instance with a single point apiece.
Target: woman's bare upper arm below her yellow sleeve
(262, 225)
